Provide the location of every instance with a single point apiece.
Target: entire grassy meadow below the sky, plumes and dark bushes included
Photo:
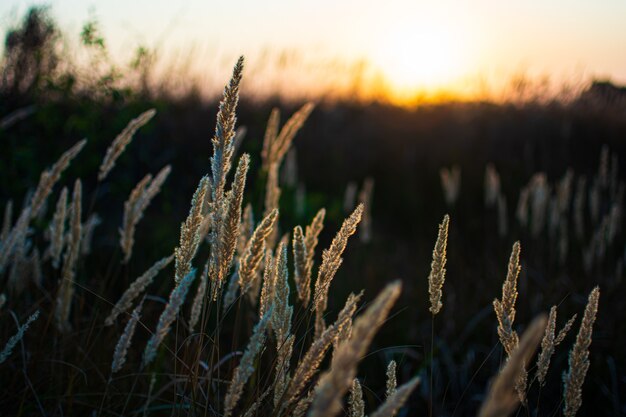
(170, 254)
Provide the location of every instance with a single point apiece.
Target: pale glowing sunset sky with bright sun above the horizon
(397, 45)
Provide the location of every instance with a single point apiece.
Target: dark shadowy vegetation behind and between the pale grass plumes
(47, 105)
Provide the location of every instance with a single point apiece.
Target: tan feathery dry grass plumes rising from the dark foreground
(284, 367)
